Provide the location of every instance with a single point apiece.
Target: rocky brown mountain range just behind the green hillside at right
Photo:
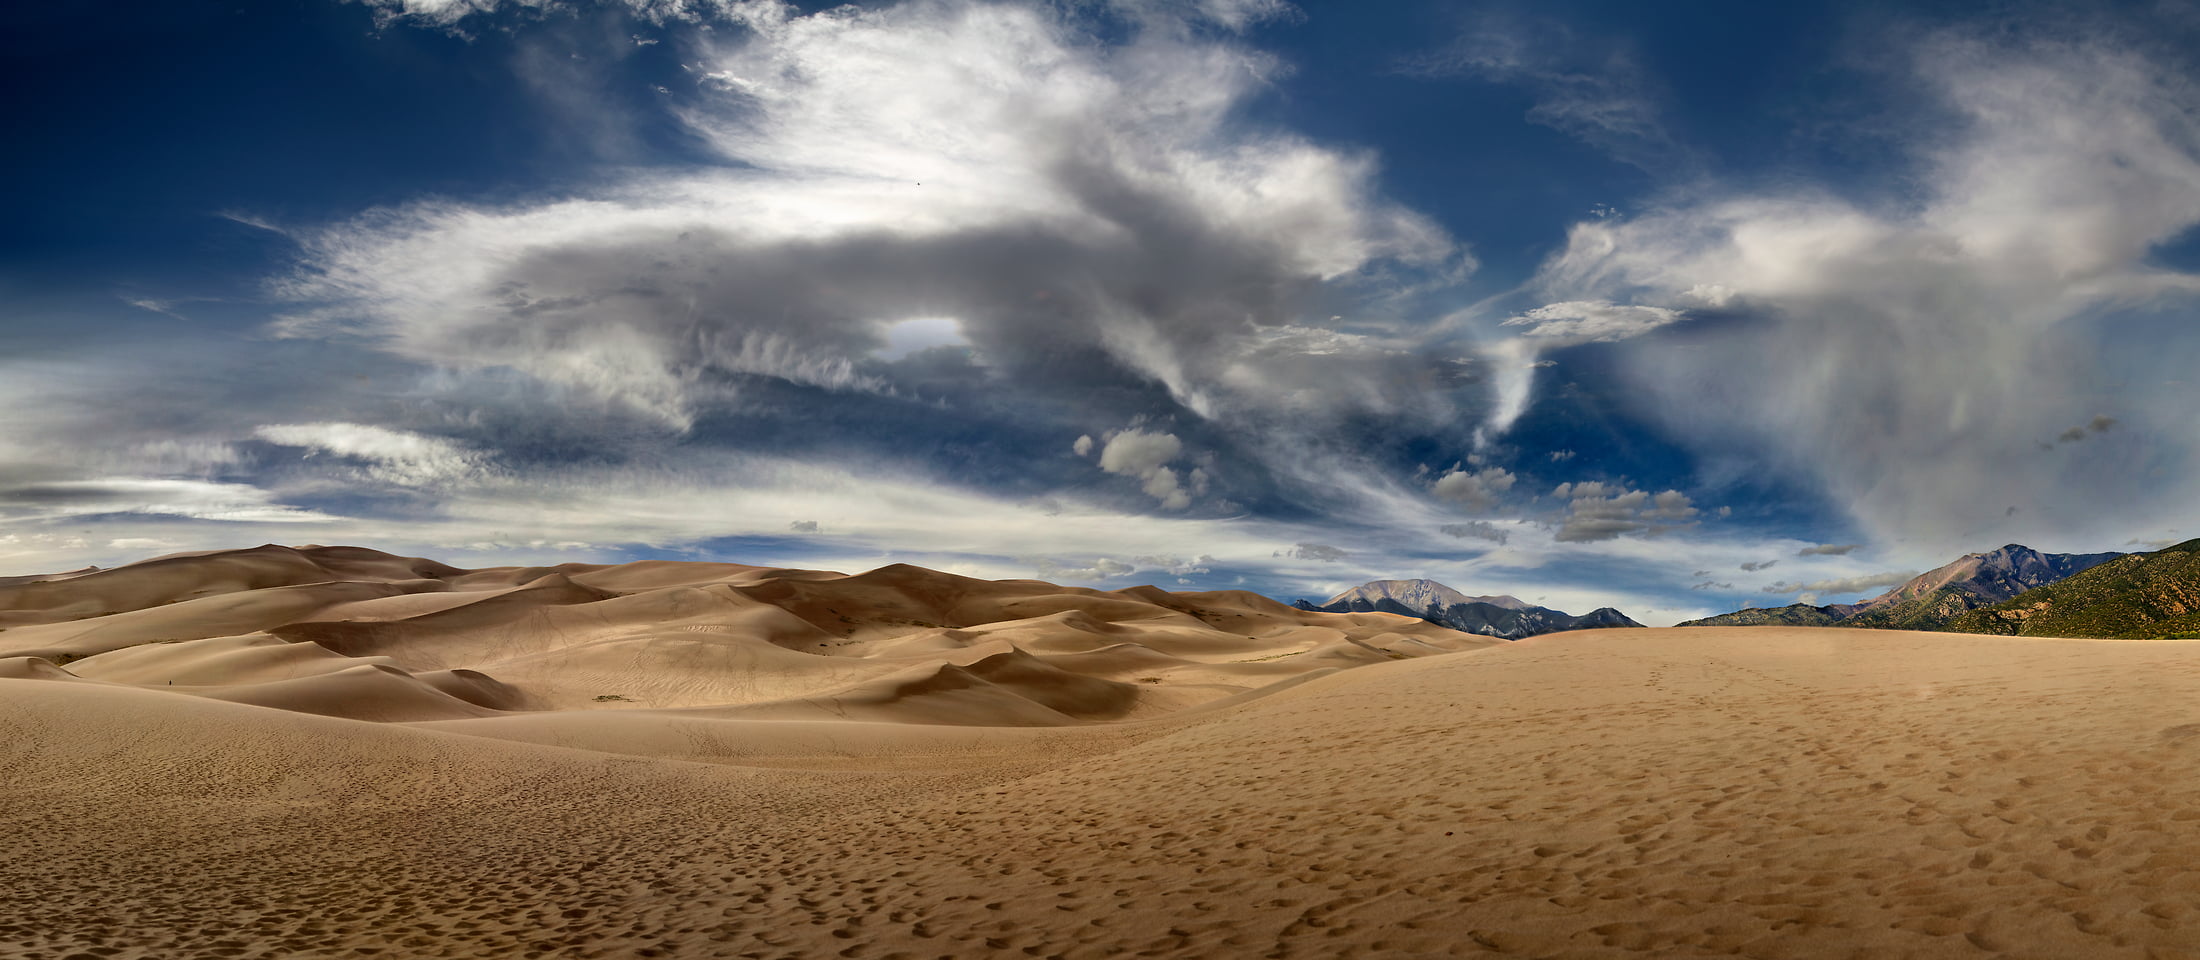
(1933, 600)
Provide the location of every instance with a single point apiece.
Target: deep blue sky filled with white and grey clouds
(1664, 307)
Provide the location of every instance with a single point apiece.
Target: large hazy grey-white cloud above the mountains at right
(1906, 358)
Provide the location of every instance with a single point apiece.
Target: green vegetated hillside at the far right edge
(2146, 596)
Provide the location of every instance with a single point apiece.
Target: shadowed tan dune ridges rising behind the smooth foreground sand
(364, 635)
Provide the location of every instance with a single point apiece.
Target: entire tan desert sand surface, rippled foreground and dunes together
(987, 770)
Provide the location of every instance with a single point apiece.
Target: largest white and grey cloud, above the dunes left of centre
(1094, 217)
